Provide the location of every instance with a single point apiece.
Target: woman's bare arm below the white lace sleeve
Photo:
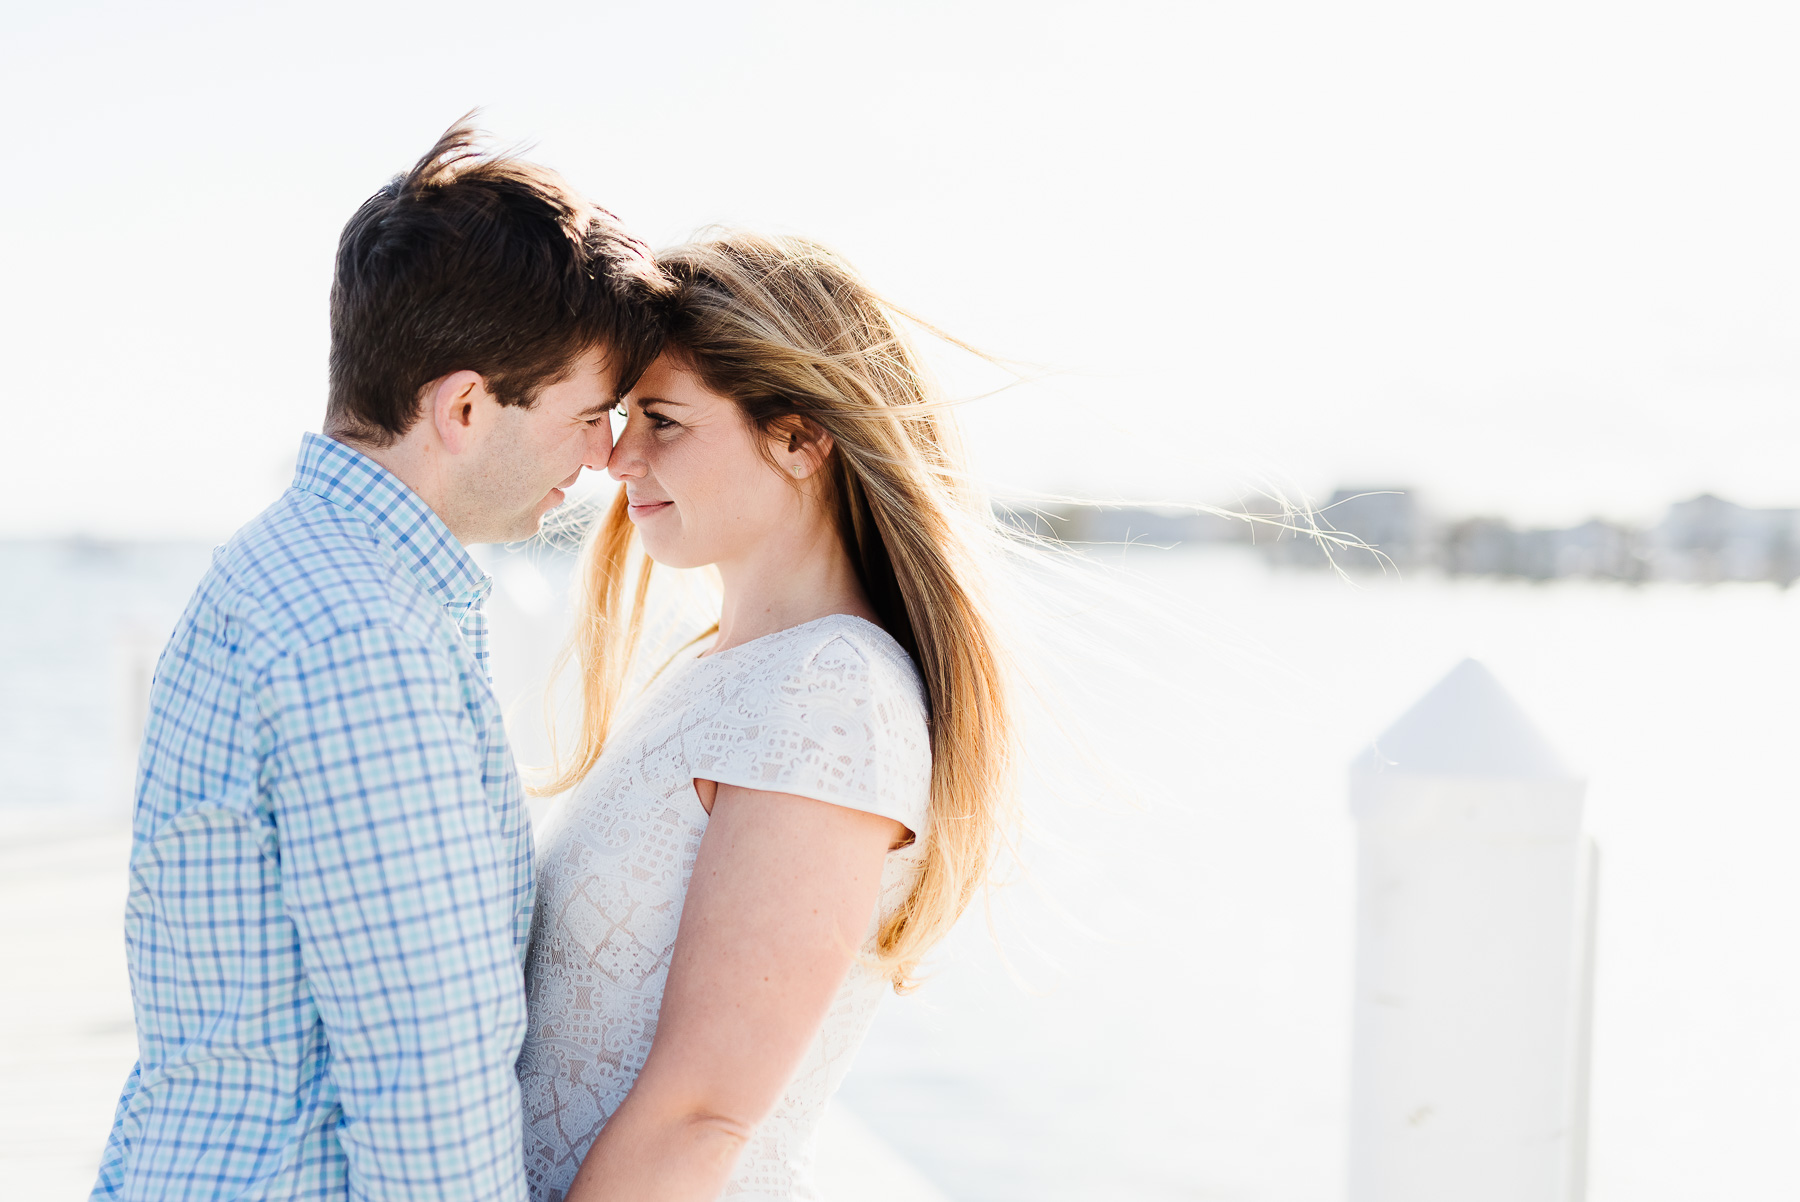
(780, 902)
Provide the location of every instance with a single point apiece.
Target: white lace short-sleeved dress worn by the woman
(832, 710)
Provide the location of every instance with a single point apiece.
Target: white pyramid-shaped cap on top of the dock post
(1468, 726)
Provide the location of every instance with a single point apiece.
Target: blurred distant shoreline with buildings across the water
(1700, 541)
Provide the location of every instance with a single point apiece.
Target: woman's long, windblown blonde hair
(789, 332)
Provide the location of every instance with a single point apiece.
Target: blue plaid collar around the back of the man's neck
(399, 517)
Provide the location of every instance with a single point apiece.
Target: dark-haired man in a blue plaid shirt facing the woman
(332, 861)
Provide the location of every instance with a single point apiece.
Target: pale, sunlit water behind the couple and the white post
(1180, 1019)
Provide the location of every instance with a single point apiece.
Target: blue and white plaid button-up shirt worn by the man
(330, 870)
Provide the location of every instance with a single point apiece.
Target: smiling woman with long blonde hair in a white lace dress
(784, 825)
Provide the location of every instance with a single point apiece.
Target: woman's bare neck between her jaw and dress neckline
(787, 586)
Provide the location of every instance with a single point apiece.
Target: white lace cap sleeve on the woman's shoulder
(825, 712)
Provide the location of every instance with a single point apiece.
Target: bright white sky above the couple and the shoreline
(1527, 258)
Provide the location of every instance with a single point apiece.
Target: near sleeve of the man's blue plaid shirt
(397, 883)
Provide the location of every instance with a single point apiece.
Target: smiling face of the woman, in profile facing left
(696, 474)
